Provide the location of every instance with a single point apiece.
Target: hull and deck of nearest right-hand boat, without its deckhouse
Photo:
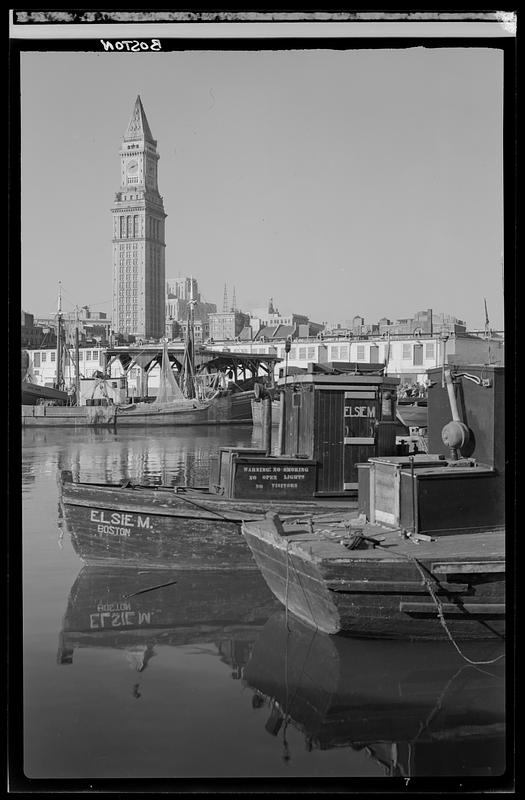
(384, 591)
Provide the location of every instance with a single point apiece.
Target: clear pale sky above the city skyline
(339, 183)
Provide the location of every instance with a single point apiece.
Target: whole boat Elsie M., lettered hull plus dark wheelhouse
(314, 473)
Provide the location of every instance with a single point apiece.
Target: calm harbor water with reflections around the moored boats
(203, 678)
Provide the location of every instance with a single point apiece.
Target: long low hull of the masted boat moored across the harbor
(229, 409)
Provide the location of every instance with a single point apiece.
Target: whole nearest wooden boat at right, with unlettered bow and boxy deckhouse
(424, 555)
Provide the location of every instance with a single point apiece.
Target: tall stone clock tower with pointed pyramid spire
(138, 235)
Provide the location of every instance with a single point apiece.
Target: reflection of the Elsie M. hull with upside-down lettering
(137, 610)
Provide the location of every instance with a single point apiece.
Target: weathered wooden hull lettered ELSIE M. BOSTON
(158, 527)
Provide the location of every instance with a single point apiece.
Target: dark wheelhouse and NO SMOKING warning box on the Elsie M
(329, 423)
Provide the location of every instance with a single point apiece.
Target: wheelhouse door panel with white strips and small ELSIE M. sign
(361, 411)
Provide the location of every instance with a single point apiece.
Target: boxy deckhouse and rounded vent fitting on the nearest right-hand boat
(461, 486)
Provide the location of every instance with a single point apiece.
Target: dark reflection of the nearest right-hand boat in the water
(418, 708)
